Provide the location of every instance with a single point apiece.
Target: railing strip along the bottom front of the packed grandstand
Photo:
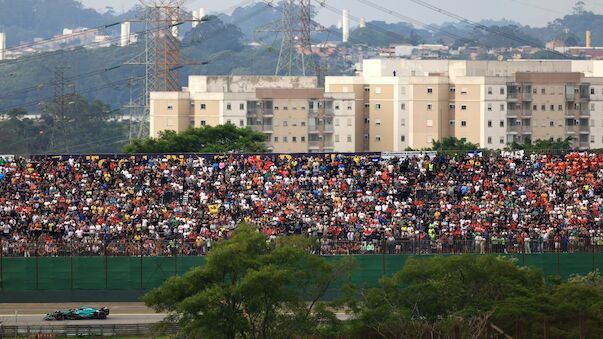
(179, 246)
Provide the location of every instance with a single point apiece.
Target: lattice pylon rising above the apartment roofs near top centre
(296, 27)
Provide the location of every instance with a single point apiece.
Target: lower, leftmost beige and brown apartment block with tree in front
(295, 115)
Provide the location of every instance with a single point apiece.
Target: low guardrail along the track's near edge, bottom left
(51, 331)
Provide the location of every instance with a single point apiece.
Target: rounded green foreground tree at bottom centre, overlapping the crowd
(251, 288)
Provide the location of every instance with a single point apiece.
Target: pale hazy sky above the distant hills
(531, 12)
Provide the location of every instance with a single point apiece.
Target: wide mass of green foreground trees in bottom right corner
(462, 296)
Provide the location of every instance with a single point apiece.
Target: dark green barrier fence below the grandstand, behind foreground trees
(64, 274)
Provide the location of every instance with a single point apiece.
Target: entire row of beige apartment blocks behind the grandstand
(394, 104)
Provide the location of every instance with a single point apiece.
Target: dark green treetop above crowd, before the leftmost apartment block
(219, 139)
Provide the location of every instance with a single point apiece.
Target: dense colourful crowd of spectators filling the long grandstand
(351, 204)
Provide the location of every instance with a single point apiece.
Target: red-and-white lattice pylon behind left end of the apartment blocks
(161, 58)
